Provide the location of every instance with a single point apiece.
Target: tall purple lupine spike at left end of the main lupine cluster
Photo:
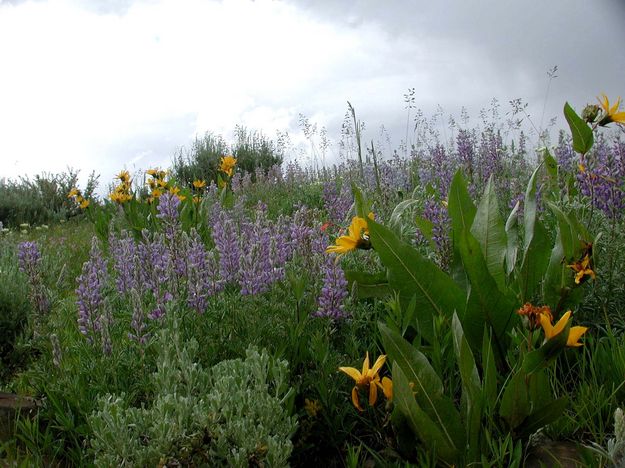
(90, 292)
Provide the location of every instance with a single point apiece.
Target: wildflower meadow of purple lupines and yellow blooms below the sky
(458, 302)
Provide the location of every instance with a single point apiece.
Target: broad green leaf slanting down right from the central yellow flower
(411, 274)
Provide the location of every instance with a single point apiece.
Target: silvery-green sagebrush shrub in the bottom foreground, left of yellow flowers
(230, 415)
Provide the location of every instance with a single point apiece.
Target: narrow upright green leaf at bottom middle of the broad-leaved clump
(472, 395)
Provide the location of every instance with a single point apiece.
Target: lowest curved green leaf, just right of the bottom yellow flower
(433, 434)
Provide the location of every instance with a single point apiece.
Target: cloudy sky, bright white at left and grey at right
(112, 84)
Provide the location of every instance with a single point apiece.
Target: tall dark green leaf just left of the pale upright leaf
(486, 303)
